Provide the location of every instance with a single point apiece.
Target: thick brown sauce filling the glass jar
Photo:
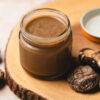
(46, 61)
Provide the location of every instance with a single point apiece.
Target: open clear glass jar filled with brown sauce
(43, 57)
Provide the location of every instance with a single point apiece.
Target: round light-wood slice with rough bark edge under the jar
(29, 88)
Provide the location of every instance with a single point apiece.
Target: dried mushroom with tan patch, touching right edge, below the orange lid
(90, 57)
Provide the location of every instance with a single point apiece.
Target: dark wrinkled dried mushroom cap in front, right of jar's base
(83, 79)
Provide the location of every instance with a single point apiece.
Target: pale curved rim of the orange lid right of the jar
(82, 20)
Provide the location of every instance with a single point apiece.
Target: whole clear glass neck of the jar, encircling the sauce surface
(40, 41)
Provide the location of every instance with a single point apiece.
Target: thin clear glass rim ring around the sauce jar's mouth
(41, 41)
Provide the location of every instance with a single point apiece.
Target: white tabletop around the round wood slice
(10, 13)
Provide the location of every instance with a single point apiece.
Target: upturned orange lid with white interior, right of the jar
(90, 24)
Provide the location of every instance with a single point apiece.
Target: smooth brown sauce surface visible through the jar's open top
(46, 27)
